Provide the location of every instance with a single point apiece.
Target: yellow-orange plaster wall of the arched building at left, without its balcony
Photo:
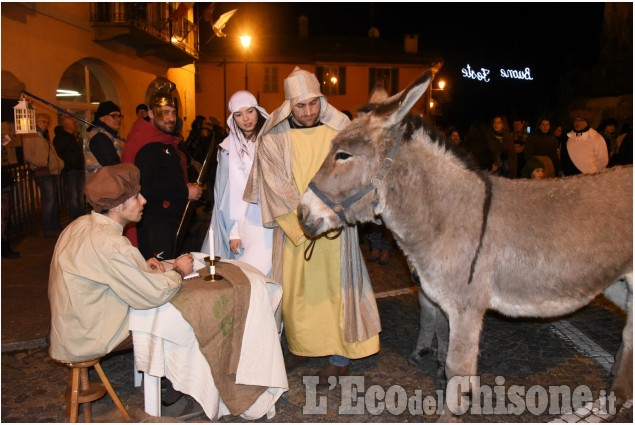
(39, 45)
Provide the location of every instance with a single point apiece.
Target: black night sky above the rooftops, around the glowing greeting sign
(549, 38)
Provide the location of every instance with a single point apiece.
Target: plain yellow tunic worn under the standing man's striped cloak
(311, 302)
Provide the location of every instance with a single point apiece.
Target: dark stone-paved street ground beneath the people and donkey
(525, 353)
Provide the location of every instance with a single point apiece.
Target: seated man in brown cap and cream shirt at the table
(96, 274)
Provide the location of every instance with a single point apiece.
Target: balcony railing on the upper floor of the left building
(152, 19)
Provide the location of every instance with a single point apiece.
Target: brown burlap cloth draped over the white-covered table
(217, 312)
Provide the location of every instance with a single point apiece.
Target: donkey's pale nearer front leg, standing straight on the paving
(461, 363)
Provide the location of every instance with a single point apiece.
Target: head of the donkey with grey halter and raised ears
(348, 186)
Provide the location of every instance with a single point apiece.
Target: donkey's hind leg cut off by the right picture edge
(623, 369)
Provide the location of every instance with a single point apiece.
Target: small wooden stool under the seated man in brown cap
(82, 391)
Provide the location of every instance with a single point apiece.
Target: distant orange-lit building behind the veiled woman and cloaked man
(347, 68)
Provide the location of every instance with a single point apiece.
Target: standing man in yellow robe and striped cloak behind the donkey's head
(328, 305)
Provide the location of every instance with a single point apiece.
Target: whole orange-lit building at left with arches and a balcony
(75, 55)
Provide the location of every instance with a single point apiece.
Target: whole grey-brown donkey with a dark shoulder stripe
(525, 248)
